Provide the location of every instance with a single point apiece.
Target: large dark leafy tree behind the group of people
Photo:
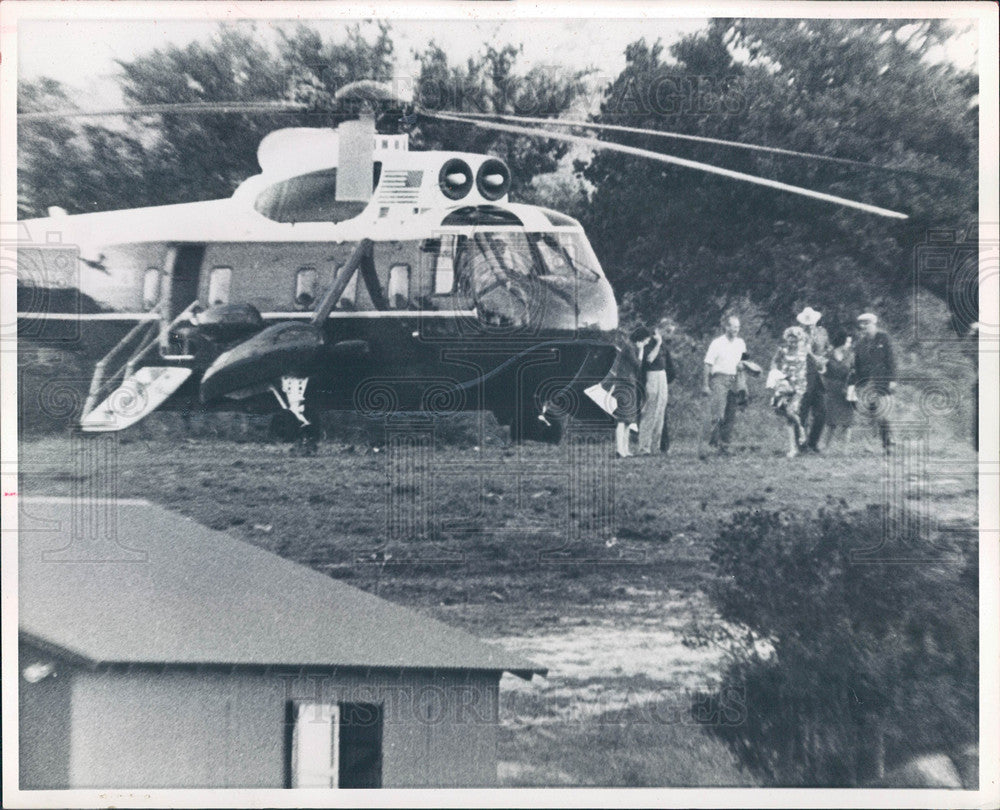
(846, 88)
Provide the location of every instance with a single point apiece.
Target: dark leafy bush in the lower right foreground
(848, 663)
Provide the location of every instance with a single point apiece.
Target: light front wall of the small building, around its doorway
(146, 727)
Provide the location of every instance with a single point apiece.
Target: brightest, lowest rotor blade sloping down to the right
(596, 143)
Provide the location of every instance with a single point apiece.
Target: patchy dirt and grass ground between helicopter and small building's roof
(591, 566)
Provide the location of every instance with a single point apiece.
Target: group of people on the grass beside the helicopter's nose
(818, 384)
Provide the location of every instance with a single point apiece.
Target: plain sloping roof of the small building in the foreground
(170, 591)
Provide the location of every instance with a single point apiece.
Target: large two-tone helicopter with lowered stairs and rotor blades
(466, 300)
